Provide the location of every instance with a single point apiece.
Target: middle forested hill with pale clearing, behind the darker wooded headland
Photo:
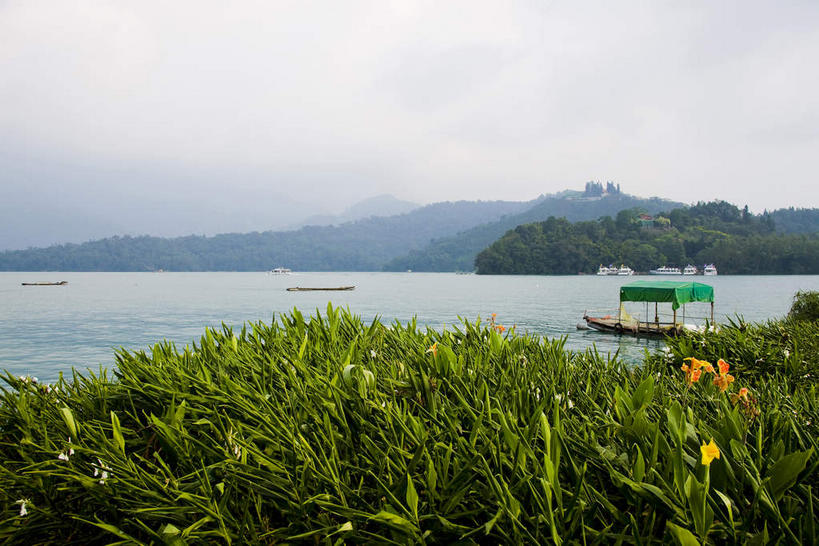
(458, 252)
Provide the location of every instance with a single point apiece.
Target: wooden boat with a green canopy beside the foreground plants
(673, 292)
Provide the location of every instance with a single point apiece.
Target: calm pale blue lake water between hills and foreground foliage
(49, 329)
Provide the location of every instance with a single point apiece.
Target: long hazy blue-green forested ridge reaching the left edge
(364, 245)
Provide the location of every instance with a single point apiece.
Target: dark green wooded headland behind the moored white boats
(737, 241)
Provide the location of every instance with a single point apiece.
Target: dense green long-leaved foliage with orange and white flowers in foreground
(328, 430)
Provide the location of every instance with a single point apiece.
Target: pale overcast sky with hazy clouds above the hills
(199, 116)
